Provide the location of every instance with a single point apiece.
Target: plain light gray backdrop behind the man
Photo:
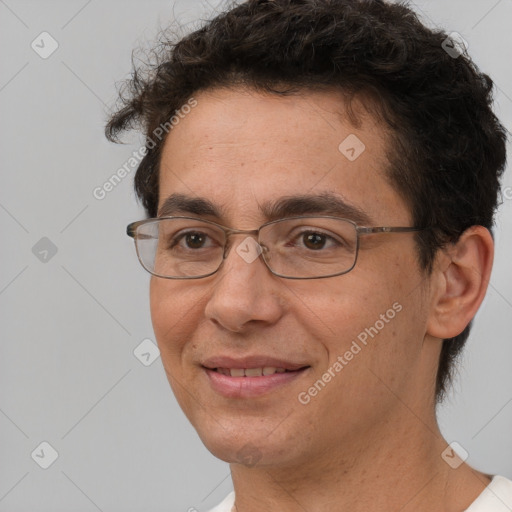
(72, 320)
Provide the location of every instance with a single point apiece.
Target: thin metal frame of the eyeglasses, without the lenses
(131, 231)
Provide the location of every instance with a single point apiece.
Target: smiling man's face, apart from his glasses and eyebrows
(354, 342)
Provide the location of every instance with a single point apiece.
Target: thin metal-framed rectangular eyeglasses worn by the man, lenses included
(293, 248)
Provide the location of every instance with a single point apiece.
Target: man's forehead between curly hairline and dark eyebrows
(240, 148)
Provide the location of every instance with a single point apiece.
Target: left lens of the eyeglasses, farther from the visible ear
(179, 247)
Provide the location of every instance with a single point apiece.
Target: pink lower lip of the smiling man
(245, 387)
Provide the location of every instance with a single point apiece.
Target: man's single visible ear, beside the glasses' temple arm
(461, 275)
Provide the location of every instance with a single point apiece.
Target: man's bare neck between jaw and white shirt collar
(400, 469)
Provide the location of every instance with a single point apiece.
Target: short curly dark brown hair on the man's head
(448, 149)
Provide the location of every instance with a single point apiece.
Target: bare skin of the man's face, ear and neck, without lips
(370, 439)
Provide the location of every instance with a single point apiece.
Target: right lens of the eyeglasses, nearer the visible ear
(310, 247)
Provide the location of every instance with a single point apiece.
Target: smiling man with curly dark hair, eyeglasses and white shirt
(320, 180)
